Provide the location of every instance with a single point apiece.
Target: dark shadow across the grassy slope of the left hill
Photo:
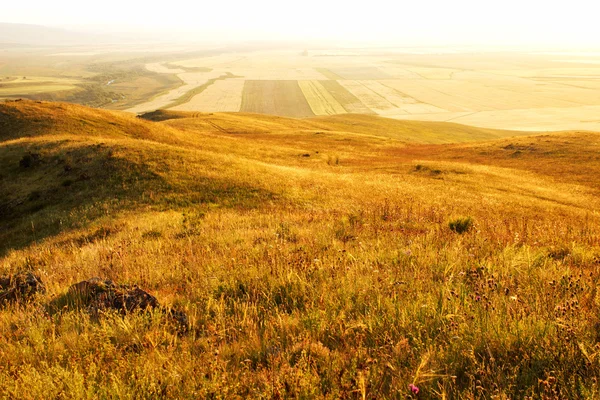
(69, 187)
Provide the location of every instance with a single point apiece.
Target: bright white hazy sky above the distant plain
(572, 23)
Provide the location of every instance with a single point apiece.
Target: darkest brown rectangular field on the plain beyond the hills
(283, 98)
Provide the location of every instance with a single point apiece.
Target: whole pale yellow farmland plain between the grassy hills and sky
(507, 90)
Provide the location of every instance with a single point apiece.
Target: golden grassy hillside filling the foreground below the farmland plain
(314, 257)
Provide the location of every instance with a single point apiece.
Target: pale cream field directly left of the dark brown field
(223, 95)
